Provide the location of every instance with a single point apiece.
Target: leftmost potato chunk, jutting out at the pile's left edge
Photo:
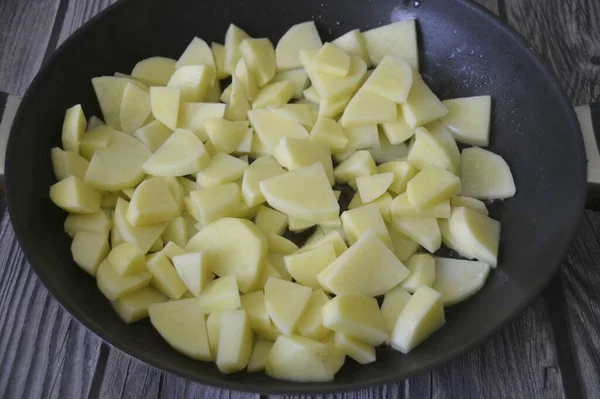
(74, 196)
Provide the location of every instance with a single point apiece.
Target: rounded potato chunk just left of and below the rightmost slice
(431, 186)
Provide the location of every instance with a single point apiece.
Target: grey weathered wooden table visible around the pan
(551, 350)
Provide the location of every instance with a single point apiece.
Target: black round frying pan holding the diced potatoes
(464, 50)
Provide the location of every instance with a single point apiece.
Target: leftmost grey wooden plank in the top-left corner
(26, 27)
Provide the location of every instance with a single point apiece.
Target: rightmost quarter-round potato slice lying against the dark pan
(485, 175)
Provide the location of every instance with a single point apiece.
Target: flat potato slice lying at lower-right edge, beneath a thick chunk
(458, 279)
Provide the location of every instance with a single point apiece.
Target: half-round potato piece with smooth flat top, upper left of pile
(182, 154)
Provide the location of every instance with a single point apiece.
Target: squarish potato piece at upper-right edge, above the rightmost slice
(469, 119)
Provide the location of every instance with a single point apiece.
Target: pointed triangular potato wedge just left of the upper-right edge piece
(422, 105)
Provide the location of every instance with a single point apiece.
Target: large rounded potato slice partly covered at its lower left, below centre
(220, 242)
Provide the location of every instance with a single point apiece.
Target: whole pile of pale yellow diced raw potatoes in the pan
(177, 205)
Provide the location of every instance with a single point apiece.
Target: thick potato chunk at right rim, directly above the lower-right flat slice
(475, 234)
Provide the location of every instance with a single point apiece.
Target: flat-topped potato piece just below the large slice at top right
(392, 79)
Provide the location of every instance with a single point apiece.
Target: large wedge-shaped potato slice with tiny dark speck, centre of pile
(288, 194)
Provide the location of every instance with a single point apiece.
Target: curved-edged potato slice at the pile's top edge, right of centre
(303, 36)
